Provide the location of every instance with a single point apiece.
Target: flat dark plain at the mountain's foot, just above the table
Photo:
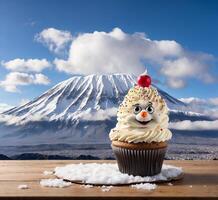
(206, 148)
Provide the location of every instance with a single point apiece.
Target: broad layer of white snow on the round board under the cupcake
(109, 174)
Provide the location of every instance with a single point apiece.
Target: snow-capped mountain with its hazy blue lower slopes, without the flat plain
(80, 110)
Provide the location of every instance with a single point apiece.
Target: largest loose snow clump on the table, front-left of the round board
(59, 183)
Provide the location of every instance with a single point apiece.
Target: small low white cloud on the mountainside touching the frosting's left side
(99, 115)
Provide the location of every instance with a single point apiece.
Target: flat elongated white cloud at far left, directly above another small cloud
(29, 65)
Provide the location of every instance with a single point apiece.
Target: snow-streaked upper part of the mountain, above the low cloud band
(68, 99)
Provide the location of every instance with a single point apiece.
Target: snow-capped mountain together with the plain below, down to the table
(72, 120)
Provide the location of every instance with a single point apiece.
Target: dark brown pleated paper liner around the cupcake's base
(143, 162)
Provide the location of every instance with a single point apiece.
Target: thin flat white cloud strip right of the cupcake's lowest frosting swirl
(194, 125)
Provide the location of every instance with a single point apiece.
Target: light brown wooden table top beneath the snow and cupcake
(200, 182)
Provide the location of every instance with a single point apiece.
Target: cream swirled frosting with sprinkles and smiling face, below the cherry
(142, 117)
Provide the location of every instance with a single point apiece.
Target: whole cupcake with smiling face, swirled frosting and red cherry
(139, 140)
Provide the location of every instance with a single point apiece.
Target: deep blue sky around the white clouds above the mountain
(191, 24)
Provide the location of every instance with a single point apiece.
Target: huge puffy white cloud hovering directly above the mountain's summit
(119, 52)
